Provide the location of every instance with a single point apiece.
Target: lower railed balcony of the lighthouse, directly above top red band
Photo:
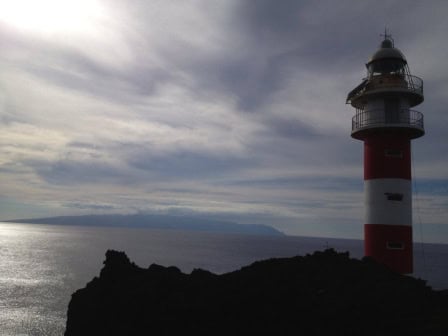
(377, 121)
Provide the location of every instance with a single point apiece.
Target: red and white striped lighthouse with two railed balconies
(386, 122)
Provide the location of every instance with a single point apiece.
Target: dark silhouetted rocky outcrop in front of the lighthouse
(325, 293)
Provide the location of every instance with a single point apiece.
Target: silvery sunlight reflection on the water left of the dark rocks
(28, 283)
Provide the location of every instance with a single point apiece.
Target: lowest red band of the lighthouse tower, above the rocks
(390, 245)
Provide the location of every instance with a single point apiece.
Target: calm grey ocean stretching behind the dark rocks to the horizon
(42, 265)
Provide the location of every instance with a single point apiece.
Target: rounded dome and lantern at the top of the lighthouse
(387, 59)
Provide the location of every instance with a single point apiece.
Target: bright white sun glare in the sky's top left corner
(51, 16)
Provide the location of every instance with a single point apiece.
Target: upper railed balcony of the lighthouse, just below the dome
(403, 84)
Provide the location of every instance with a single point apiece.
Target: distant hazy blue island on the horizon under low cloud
(161, 222)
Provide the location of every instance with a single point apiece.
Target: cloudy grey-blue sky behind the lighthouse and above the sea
(220, 109)
